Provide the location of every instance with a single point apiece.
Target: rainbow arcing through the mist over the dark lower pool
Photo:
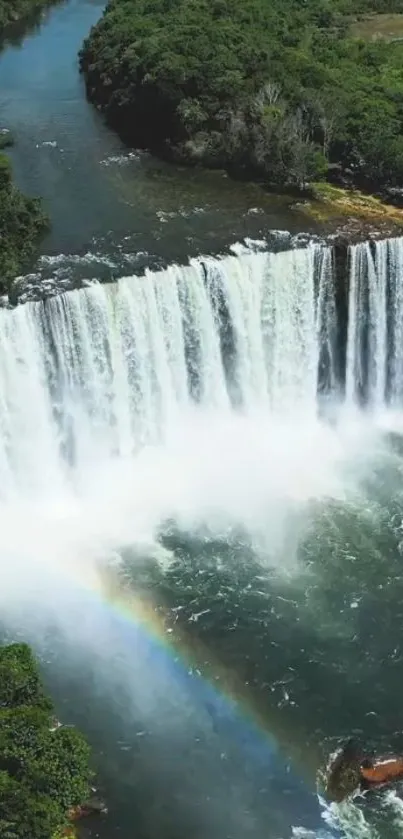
(191, 663)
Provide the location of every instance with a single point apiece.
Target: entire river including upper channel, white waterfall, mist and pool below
(208, 566)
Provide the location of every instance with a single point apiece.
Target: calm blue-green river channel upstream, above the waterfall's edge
(111, 209)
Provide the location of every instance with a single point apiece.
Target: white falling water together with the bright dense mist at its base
(190, 393)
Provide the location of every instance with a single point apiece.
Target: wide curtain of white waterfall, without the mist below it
(107, 369)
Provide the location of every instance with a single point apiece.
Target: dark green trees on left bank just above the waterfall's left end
(22, 222)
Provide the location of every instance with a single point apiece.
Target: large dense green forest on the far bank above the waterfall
(284, 91)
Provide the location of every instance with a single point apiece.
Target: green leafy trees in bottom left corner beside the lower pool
(43, 772)
